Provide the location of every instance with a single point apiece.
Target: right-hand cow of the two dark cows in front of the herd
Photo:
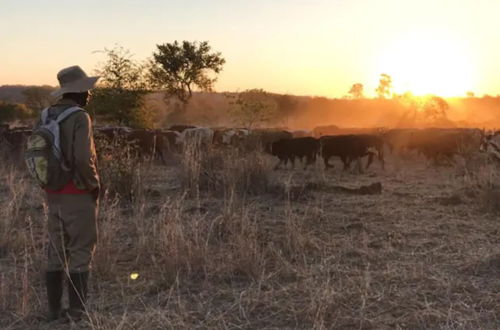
(349, 148)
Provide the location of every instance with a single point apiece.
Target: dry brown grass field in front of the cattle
(219, 240)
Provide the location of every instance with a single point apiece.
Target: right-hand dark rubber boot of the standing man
(77, 294)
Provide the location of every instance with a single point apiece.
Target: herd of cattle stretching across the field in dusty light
(350, 145)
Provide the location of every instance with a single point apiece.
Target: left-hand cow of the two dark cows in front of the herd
(289, 149)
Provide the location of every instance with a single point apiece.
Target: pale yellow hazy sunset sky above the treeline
(310, 47)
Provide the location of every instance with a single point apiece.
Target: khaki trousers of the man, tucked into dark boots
(72, 227)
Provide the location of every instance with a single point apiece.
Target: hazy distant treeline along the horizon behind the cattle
(258, 108)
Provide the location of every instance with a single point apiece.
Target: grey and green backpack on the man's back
(43, 155)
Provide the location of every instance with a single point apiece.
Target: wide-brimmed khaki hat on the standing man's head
(74, 80)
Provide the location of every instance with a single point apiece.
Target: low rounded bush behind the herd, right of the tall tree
(253, 107)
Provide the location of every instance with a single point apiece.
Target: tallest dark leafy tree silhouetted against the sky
(178, 68)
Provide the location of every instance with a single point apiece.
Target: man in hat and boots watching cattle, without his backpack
(73, 209)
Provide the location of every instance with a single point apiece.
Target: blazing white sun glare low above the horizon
(428, 64)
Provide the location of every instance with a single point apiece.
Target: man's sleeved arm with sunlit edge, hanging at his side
(84, 152)
